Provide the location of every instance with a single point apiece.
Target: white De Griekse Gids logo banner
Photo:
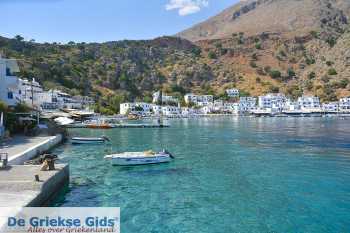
(59, 220)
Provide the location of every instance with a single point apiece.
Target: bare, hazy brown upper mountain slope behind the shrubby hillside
(289, 17)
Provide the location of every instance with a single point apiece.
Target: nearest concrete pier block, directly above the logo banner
(18, 187)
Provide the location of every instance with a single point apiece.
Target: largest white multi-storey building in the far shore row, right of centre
(273, 102)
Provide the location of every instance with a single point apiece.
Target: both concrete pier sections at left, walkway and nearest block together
(18, 187)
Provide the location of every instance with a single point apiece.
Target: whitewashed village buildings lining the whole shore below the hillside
(55, 103)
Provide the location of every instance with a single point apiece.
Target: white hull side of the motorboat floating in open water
(139, 161)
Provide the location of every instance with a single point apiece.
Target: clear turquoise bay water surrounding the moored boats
(230, 175)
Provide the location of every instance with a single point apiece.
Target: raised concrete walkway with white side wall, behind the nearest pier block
(21, 149)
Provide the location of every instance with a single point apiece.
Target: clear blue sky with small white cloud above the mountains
(102, 20)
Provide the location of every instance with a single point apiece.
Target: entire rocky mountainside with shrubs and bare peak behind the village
(258, 46)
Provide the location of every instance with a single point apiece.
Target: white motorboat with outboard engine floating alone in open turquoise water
(140, 158)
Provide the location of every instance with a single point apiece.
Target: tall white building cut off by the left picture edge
(9, 83)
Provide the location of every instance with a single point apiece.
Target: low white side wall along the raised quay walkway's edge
(36, 150)
